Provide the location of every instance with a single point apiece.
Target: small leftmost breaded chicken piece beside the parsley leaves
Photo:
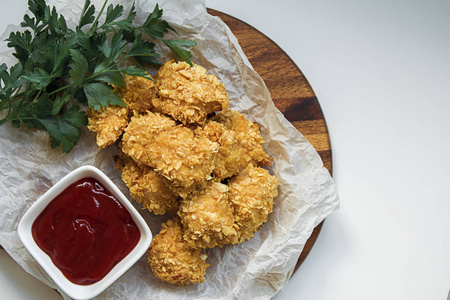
(108, 123)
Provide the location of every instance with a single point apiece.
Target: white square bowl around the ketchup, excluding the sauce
(71, 289)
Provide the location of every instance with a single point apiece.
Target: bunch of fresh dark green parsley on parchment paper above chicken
(58, 65)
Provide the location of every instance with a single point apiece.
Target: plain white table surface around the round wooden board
(381, 72)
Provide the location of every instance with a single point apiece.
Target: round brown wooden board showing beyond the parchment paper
(290, 91)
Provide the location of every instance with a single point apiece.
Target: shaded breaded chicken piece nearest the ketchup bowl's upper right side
(147, 187)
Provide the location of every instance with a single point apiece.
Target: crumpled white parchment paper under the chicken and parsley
(256, 269)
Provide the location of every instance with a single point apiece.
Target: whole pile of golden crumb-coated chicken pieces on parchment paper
(179, 157)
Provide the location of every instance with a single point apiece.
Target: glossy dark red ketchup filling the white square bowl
(86, 231)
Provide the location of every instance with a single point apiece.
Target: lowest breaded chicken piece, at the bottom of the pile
(172, 260)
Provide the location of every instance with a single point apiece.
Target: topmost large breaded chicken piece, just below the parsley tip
(187, 93)
